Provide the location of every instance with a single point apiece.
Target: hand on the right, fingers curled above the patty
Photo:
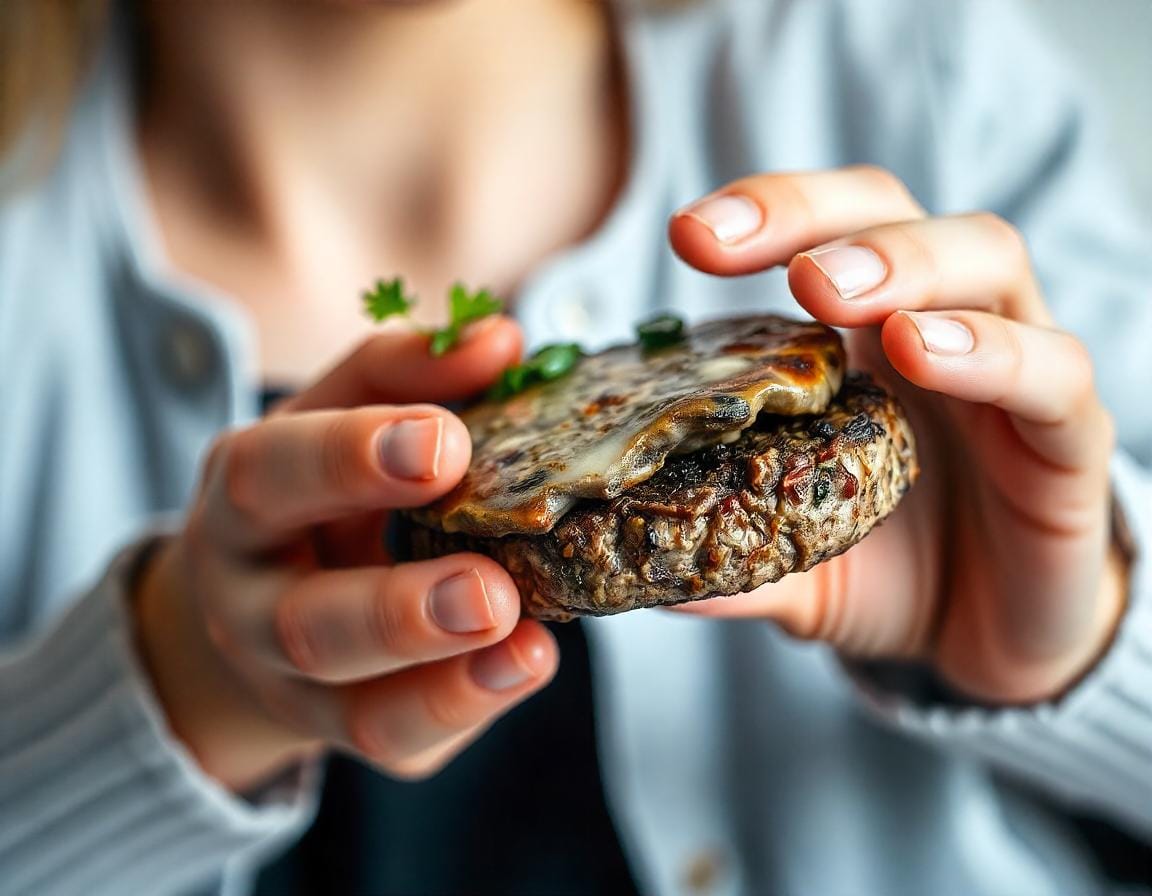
(998, 566)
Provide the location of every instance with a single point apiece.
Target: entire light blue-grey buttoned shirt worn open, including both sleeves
(724, 746)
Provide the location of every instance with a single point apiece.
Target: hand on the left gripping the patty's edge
(275, 626)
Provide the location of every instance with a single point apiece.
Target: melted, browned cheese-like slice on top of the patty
(612, 422)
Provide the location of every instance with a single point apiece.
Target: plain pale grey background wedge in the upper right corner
(1112, 44)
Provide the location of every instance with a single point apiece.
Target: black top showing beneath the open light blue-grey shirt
(521, 813)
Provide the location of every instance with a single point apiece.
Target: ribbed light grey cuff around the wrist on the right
(1093, 749)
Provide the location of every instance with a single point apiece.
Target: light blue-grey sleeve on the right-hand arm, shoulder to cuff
(1017, 134)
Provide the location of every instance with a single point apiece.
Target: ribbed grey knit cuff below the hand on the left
(96, 796)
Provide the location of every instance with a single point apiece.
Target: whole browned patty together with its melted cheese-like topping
(730, 458)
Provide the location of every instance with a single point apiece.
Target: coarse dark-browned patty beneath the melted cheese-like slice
(789, 495)
